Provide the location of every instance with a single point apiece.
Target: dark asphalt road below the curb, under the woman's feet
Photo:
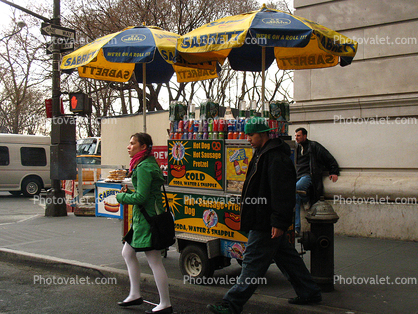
(28, 289)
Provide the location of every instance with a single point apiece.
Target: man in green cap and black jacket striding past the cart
(267, 202)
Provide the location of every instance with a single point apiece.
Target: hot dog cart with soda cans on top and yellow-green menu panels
(207, 163)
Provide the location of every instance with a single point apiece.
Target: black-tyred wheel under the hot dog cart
(194, 262)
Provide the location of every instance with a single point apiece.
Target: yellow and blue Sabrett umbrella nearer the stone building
(252, 41)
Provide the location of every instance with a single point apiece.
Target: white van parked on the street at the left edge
(24, 163)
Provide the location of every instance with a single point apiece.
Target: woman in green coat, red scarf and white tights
(147, 179)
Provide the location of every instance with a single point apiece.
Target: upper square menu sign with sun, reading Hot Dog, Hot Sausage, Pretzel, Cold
(196, 164)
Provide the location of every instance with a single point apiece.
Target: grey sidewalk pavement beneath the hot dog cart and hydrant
(373, 274)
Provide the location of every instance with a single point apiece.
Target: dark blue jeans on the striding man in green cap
(260, 251)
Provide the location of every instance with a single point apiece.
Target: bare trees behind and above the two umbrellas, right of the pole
(95, 18)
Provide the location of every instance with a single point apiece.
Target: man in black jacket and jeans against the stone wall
(311, 159)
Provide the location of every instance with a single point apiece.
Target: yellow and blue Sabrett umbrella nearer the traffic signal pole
(147, 51)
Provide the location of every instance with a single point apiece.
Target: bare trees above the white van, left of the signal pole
(22, 88)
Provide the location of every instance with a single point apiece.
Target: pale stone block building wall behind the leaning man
(366, 115)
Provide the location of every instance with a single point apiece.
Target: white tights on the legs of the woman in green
(161, 280)
